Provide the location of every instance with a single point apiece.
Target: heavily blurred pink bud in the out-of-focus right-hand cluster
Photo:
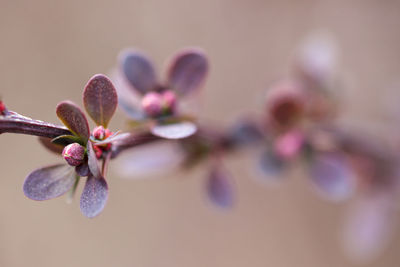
(288, 145)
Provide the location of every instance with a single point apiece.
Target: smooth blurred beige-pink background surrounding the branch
(48, 51)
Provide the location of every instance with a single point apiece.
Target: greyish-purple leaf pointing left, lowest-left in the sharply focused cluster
(49, 182)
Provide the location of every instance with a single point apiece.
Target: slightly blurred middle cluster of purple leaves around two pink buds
(159, 100)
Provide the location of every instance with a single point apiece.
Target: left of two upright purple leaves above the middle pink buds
(139, 71)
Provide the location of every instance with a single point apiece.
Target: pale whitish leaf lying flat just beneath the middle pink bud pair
(174, 130)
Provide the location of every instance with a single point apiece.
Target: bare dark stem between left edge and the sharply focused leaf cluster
(12, 122)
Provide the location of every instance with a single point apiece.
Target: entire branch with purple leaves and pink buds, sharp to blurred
(298, 125)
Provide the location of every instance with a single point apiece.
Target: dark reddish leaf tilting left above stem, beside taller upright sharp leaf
(73, 117)
